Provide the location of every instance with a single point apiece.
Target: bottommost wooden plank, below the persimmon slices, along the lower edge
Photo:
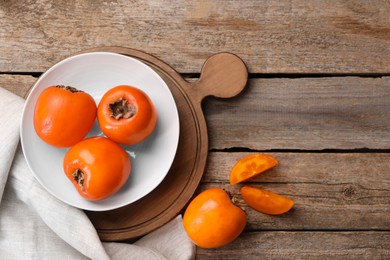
(303, 245)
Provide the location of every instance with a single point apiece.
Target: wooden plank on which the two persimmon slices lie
(332, 191)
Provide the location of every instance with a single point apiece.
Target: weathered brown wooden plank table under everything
(318, 99)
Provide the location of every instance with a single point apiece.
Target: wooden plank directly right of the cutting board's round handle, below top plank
(303, 113)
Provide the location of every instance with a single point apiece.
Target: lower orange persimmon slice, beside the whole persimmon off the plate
(265, 201)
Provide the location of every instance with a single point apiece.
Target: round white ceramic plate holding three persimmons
(95, 73)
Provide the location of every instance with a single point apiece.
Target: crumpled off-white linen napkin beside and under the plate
(36, 225)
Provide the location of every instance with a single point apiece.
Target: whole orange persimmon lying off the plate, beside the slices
(212, 220)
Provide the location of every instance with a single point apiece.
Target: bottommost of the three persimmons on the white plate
(97, 167)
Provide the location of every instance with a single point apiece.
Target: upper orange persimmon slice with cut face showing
(250, 166)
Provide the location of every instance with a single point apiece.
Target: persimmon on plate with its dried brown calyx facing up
(126, 115)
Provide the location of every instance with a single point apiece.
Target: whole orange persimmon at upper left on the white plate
(63, 115)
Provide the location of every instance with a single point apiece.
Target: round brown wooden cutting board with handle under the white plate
(223, 75)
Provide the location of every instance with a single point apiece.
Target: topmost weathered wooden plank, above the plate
(272, 37)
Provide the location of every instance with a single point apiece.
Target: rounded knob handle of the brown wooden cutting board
(223, 75)
